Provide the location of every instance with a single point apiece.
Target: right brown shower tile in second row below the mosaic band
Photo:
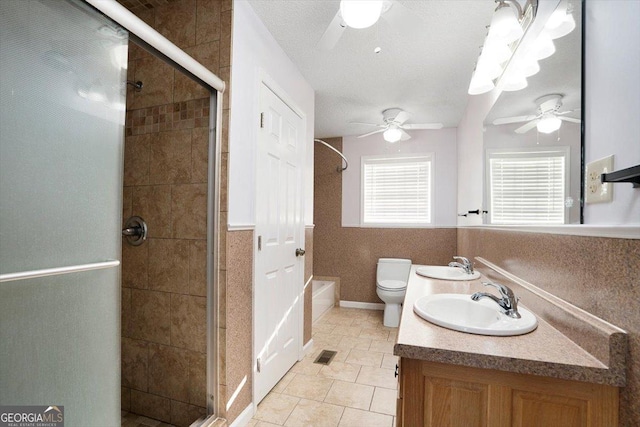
(189, 211)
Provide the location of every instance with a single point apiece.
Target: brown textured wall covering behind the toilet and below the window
(351, 253)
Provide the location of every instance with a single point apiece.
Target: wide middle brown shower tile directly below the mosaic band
(171, 157)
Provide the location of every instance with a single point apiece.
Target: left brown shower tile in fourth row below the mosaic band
(150, 316)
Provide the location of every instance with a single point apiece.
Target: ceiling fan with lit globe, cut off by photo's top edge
(362, 14)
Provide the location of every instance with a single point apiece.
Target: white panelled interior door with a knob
(279, 230)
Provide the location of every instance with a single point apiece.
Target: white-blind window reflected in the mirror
(527, 187)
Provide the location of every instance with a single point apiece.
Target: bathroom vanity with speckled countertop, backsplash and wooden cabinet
(566, 373)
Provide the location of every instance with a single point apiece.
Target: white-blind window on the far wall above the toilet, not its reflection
(396, 191)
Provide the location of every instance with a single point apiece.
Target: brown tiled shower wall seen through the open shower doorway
(164, 280)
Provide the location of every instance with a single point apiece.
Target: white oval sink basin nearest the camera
(459, 312)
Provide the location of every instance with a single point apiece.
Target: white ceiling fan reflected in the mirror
(548, 118)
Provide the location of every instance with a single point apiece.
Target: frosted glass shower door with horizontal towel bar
(62, 109)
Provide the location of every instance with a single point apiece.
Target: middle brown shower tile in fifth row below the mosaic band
(169, 372)
